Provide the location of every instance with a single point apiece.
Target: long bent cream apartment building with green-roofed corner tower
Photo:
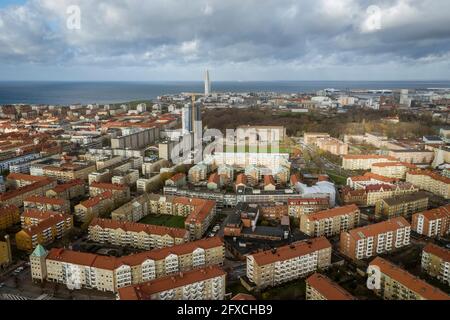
(107, 273)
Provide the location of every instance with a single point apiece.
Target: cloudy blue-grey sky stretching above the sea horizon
(236, 39)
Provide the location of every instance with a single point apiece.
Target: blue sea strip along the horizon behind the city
(64, 93)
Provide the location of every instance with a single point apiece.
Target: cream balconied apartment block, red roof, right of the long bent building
(273, 267)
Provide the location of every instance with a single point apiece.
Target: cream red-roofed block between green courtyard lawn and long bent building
(136, 235)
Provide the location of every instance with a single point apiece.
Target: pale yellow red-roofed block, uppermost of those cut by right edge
(430, 181)
